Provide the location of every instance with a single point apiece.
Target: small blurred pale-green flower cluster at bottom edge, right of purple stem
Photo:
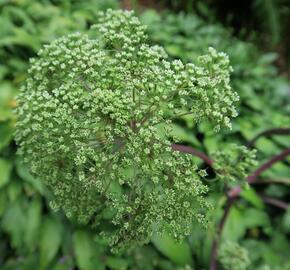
(233, 257)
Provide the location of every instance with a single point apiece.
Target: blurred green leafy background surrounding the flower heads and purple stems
(255, 34)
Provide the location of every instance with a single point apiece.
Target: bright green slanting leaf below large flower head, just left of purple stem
(179, 253)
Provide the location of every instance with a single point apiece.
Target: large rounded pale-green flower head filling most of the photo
(94, 124)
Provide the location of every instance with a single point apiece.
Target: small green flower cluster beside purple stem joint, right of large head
(234, 163)
